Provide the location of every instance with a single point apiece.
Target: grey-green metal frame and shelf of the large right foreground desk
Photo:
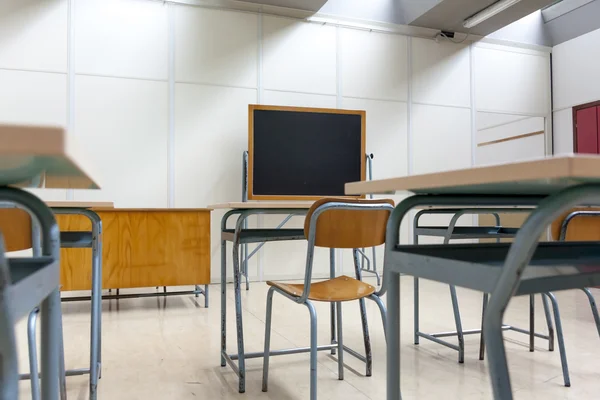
(496, 268)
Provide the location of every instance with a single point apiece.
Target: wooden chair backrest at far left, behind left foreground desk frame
(15, 225)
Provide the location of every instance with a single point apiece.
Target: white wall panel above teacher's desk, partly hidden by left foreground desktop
(122, 124)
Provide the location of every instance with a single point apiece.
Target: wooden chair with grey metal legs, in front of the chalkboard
(342, 224)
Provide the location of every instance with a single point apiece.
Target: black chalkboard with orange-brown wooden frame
(304, 153)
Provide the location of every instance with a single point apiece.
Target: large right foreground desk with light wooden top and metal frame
(553, 185)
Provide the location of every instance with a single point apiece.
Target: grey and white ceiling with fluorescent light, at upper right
(517, 23)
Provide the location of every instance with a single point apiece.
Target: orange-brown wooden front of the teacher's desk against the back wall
(142, 248)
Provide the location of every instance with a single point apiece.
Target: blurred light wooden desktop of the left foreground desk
(43, 153)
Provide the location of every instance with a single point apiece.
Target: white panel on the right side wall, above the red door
(575, 66)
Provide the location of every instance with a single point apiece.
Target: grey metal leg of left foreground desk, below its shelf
(51, 333)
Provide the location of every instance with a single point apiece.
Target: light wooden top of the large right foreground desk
(536, 177)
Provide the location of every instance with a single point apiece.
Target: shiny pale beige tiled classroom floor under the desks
(157, 348)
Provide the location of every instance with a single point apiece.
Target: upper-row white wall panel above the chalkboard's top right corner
(374, 65)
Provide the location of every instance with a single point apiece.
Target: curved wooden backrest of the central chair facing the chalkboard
(349, 229)
